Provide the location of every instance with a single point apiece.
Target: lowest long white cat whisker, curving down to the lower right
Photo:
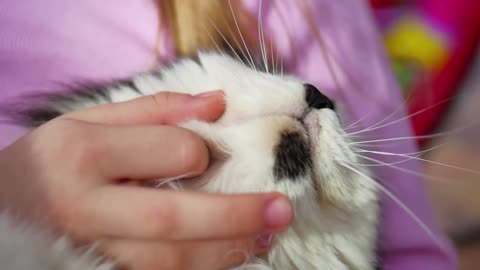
(400, 204)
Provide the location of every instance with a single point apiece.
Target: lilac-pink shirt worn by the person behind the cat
(46, 43)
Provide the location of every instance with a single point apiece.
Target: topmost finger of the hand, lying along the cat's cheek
(164, 108)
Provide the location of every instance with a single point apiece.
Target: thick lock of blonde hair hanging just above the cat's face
(209, 24)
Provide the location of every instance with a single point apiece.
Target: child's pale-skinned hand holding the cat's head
(67, 172)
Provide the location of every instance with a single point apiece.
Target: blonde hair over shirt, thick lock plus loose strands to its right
(225, 24)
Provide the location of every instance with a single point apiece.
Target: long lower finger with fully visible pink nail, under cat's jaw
(142, 213)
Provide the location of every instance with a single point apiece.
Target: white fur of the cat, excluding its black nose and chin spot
(336, 209)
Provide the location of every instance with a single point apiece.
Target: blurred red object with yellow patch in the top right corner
(431, 44)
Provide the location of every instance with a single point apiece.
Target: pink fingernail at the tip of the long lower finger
(278, 213)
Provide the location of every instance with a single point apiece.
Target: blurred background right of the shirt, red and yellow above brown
(433, 48)
